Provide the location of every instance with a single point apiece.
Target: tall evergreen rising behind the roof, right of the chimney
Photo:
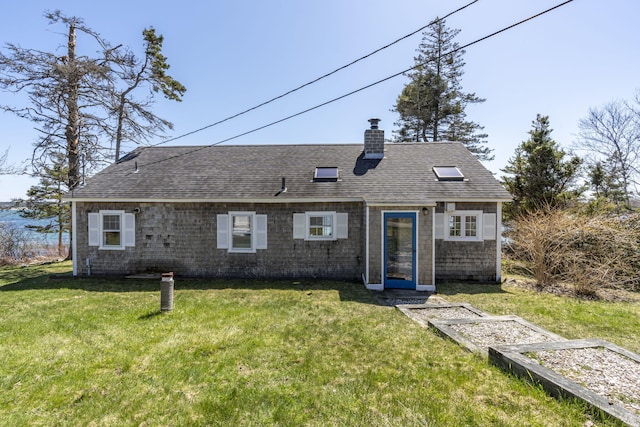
(432, 105)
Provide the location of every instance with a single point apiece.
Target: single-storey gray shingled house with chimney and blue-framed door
(393, 215)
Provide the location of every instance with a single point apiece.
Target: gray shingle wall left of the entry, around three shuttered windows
(181, 237)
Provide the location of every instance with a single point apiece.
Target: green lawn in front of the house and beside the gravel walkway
(99, 352)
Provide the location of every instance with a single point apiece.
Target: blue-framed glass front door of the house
(400, 250)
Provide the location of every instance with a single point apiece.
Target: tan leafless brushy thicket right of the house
(587, 252)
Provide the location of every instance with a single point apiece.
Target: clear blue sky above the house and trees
(233, 55)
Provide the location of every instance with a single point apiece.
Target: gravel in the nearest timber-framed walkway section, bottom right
(600, 370)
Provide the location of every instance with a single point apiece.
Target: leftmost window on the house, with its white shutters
(113, 230)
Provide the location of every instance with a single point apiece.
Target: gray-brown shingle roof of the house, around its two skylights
(255, 172)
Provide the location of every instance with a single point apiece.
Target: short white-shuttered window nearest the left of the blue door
(321, 225)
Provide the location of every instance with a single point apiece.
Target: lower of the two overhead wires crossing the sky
(362, 88)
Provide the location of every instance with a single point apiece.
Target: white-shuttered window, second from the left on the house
(241, 232)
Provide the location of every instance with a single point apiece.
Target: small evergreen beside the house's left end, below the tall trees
(45, 201)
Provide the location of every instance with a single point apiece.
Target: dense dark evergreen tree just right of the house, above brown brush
(538, 175)
